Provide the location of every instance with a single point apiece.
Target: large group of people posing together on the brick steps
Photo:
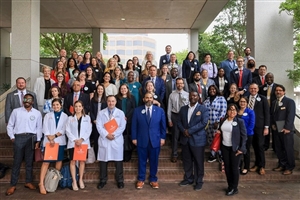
(81, 95)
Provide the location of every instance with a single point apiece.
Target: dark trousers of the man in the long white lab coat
(118, 173)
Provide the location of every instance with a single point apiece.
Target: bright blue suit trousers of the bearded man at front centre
(143, 155)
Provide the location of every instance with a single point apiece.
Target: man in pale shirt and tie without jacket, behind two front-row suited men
(177, 99)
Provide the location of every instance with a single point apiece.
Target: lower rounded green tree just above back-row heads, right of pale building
(213, 44)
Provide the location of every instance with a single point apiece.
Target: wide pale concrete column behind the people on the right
(270, 35)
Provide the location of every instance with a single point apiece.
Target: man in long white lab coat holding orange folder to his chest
(111, 124)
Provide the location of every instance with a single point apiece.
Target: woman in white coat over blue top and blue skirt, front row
(54, 127)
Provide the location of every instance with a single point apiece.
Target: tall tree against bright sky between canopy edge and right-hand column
(231, 25)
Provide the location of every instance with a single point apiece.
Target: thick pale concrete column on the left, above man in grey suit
(25, 45)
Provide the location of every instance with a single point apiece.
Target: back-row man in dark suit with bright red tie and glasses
(241, 76)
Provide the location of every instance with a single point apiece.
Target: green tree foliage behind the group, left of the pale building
(51, 43)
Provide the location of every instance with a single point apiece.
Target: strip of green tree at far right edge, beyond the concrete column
(292, 7)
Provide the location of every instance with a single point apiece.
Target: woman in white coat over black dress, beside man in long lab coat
(78, 130)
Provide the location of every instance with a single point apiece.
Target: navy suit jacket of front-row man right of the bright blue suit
(196, 126)
